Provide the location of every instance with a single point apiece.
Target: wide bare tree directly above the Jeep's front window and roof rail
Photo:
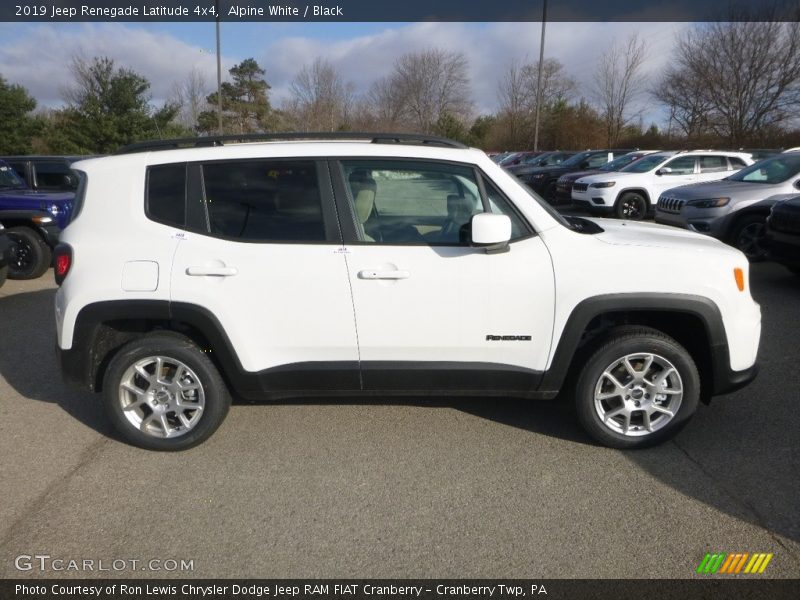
(431, 85)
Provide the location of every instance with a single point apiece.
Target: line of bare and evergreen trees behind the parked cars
(731, 83)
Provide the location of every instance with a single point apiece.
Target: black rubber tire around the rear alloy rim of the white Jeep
(209, 388)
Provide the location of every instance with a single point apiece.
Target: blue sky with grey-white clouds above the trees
(38, 56)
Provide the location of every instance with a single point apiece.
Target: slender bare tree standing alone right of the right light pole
(618, 81)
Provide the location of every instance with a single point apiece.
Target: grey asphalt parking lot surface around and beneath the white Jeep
(402, 488)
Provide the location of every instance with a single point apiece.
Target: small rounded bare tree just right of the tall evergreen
(320, 98)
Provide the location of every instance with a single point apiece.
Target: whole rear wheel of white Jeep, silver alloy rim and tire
(162, 393)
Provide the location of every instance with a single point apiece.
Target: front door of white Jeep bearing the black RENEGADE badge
(432, 312)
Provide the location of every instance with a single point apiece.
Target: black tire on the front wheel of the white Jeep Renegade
(629, 342)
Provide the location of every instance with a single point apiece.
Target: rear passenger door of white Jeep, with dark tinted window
(264, 257)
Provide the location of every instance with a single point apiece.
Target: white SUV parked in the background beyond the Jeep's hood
(632, 192)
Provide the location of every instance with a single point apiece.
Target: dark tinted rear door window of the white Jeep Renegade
(264, 200)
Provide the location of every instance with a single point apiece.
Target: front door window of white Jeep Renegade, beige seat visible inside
(415, 202)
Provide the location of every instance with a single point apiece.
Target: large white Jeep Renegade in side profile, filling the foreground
(387, 265)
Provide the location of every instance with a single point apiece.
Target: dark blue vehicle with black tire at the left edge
(32, 222)
